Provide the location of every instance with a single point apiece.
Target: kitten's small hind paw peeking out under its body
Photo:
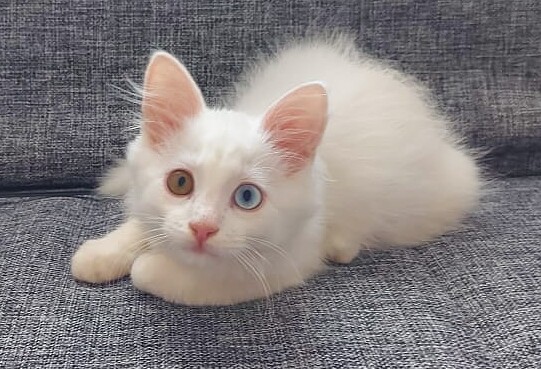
(340, 246)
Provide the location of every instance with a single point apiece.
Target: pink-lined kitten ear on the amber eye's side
(170, 97)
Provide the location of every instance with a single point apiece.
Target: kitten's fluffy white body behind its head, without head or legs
(394, 172)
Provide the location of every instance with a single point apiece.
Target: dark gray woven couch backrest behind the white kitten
(61, 121)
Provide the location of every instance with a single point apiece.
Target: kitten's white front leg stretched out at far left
(110, 257)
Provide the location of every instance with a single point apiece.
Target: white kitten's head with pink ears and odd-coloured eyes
(212, 182)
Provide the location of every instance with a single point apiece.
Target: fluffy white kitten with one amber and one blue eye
(228, 205)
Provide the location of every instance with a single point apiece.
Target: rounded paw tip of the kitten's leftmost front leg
(99, 261)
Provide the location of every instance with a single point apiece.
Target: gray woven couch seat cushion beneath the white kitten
(467, 300)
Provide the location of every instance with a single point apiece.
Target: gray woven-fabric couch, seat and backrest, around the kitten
(469, 299)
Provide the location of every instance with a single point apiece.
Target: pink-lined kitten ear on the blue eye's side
(296, 122)
